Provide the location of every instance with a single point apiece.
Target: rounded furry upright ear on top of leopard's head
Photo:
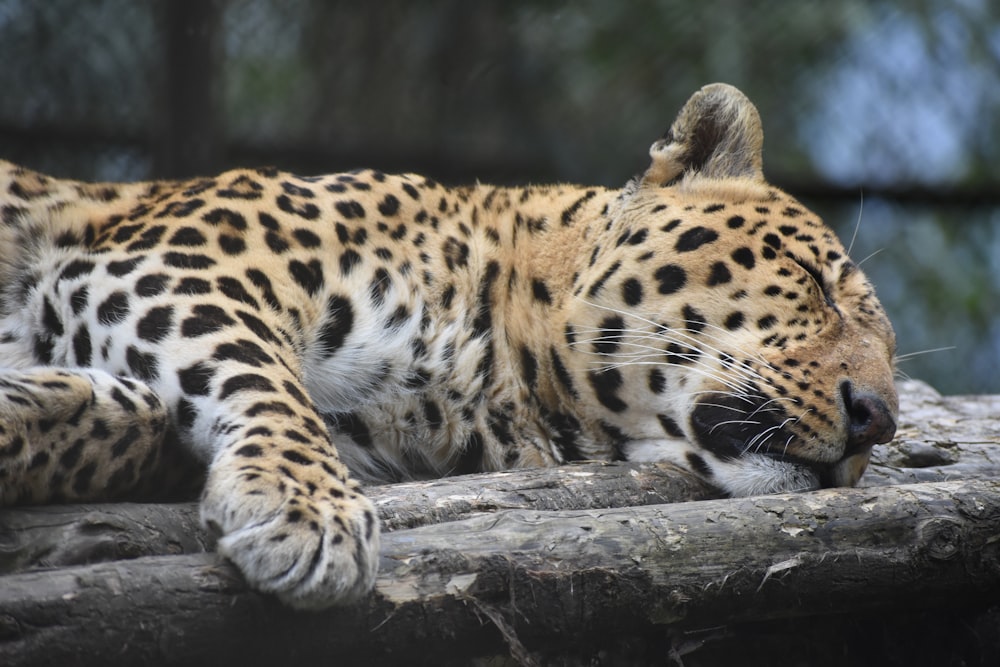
(716, 135)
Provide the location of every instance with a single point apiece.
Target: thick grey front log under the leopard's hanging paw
(522, 579)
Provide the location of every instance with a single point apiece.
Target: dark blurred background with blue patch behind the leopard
(884, 117)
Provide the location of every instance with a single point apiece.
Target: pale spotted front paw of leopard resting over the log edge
(312, 547)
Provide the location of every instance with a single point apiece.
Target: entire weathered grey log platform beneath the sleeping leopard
(501, 577)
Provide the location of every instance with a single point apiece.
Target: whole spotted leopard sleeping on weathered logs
(271, 342)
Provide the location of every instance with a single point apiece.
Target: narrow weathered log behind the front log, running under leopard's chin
(61, 535)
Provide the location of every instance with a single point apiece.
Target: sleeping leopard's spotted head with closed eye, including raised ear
(723, 326)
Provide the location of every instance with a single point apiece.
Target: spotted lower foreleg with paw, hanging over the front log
(286, 510)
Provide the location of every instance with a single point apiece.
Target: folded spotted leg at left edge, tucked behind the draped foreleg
(76, 435)
